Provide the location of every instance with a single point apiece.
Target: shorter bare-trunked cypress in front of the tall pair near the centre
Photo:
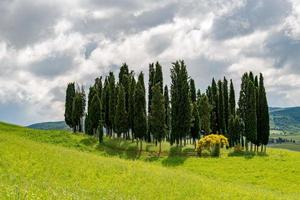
(157, 117)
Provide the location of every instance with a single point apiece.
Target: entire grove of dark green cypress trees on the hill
(179, 114)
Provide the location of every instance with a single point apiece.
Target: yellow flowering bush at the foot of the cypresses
(212, 143)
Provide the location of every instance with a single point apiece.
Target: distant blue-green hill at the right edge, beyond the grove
(285, 118)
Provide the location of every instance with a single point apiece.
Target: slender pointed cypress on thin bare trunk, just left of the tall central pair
(140, 120)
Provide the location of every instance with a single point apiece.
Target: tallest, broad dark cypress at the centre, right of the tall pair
(180, 103)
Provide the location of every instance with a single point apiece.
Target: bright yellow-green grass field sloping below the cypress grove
(59, 165)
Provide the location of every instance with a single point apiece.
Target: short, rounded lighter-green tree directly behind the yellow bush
(204, 113)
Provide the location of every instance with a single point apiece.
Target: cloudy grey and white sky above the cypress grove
(46, 44)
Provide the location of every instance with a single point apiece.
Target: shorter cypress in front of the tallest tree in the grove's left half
(121, 118)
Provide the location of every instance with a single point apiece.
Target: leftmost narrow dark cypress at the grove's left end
(70, 93)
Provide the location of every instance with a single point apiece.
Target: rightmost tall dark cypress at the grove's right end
(264, 126)
